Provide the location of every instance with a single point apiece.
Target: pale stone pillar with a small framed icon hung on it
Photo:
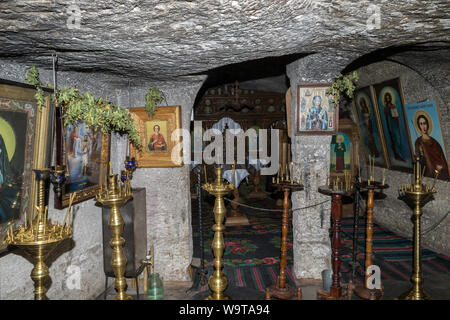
(312, 247)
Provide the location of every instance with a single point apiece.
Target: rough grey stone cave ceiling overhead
(158, 40)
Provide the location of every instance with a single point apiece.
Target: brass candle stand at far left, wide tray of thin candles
(39, 237)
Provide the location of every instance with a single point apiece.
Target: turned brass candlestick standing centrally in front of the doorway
(218, 281)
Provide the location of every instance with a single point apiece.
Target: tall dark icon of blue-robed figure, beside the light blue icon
(389, 103)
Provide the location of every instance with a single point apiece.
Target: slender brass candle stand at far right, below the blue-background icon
(416, 195)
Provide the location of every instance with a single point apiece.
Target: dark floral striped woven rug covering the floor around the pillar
(251, 258)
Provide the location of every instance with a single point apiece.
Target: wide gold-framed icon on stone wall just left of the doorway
(156, 132)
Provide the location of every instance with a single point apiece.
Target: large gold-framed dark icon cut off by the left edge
(24, 145)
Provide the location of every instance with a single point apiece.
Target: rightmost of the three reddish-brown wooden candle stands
(362, 291)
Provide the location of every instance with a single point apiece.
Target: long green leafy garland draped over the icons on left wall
(94, 112)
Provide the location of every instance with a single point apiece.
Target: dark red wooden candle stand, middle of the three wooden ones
(336, 212)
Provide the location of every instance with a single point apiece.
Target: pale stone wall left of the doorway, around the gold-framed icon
(169, 227)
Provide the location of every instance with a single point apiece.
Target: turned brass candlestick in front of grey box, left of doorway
(113, 197)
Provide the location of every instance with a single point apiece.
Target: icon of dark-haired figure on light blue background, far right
(427, 138)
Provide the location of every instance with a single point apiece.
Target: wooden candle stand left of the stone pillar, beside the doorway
(281, 289)
